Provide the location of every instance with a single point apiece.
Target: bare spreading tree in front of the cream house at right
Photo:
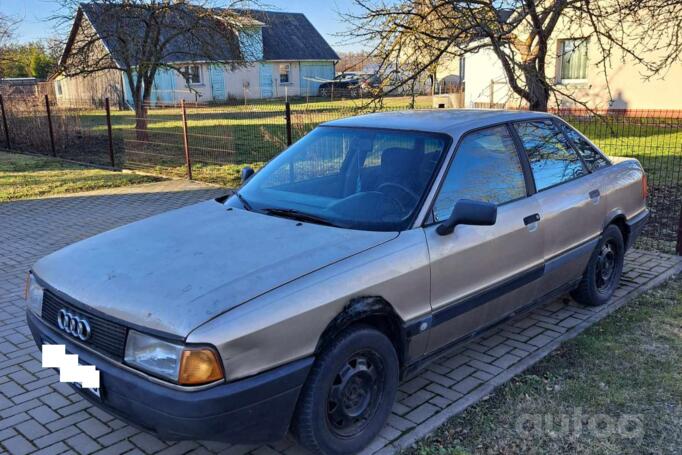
(520, 34)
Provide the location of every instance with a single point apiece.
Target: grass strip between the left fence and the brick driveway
(23, 177)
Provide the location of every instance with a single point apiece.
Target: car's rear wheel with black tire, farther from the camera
(603, 272)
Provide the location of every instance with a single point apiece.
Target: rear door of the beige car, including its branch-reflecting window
(572, 209)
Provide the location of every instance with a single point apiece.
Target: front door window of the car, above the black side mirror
(486, 168)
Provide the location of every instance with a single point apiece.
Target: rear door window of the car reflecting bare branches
(551, 157)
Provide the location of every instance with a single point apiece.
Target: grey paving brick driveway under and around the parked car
(40, 415)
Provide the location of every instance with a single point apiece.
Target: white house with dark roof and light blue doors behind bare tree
(288, 57)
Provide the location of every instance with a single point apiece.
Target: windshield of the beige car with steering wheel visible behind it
(356, 178)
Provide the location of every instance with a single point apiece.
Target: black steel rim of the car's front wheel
(355, 394)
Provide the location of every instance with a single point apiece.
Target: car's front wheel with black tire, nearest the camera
(340, 387)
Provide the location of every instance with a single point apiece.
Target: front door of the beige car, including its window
(479, 274)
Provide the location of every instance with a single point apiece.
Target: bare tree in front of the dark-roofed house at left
(141, 37)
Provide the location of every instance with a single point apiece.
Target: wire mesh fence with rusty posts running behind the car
(212, 143)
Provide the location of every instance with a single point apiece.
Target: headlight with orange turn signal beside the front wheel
(177, 363)
